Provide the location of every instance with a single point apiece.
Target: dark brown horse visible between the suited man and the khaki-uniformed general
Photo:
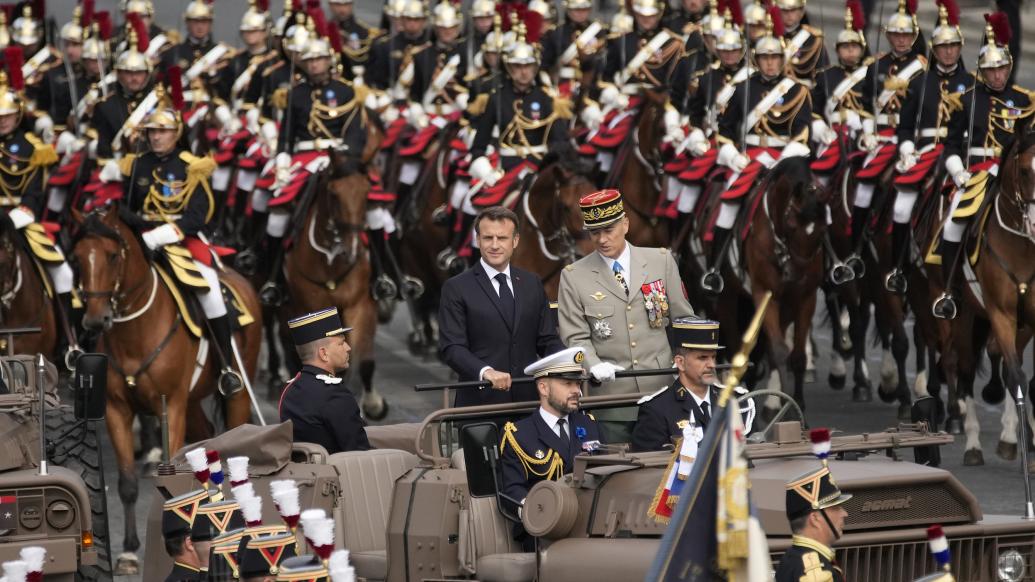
(551, 223)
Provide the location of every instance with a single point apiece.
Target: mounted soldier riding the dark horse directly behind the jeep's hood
(766, 122)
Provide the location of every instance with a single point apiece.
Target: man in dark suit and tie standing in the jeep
(495, 319)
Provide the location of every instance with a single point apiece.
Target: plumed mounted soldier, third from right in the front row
(894, 73)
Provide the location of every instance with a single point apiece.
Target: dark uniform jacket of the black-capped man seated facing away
(323, 412)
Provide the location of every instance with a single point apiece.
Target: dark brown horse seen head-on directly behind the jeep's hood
(784, 255)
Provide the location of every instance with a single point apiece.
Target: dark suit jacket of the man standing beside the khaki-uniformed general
(475, 334)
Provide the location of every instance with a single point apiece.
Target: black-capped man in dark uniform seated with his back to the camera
(321, 409)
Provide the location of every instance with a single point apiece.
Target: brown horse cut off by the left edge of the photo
(24, 302)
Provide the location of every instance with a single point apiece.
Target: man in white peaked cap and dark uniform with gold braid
(544, 445)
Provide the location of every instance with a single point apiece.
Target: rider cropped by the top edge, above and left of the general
(569, 49)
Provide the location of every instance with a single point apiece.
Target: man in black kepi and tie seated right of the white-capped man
(690, 400)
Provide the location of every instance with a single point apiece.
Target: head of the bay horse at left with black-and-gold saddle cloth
(103, 254)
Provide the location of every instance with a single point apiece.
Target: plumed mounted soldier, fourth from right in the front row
(843, 98)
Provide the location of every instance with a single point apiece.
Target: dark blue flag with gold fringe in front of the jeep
(713, 533)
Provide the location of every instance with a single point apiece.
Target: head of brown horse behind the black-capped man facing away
(343, 210)
